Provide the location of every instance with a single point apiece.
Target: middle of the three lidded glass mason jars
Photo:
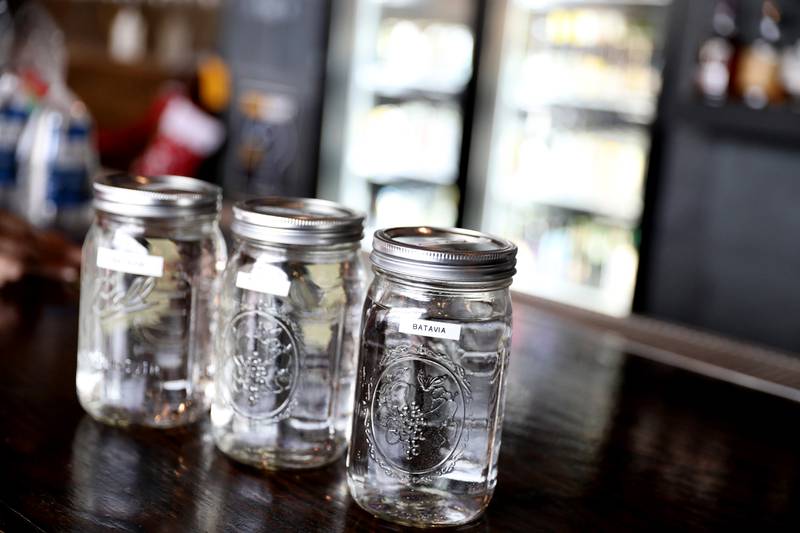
(291, 303)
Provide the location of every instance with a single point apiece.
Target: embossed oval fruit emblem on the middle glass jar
(262, 366)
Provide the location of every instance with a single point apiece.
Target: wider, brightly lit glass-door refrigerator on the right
(576, 91)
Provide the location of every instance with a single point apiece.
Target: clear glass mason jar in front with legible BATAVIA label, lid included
(431, 376)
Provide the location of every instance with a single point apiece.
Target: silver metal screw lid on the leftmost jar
(155, 196)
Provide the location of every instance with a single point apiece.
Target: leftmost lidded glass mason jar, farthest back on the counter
(152, 260)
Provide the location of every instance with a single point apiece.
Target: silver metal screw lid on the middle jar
(297, 221)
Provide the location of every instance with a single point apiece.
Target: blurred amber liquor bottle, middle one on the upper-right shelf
(758, 70)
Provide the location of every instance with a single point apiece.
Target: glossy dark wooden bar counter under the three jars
(594, 439)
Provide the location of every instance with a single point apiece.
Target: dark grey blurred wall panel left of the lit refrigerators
(276, 49)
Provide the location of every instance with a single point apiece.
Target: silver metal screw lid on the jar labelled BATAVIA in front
(450, 255)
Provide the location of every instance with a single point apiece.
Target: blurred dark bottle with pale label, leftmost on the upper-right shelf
(716, 58)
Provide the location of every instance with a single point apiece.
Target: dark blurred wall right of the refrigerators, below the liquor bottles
(722, 211)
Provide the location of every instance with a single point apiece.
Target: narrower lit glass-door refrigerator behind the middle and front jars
(397, 109)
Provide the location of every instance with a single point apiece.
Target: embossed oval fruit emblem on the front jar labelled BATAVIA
(417, 415)
